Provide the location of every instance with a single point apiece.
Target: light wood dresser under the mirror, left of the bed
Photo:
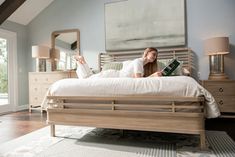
(39, 82)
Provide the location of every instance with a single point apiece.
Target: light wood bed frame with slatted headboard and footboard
(133, 112)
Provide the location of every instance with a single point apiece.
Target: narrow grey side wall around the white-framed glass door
(22, 51)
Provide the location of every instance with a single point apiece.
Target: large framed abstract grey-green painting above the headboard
(137, 24)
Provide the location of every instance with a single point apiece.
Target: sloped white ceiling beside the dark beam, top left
(28, 11)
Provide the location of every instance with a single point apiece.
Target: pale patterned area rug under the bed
(93, 142)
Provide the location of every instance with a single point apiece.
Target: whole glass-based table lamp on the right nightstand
(216, 48)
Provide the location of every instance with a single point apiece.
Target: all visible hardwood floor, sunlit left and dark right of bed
(20, 123)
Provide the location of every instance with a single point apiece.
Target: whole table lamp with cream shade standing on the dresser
(41, 53)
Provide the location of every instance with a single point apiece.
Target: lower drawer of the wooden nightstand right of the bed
(226, 103)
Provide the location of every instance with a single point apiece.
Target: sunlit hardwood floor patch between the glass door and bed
(20, 123)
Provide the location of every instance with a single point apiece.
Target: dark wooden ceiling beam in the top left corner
(8, 7)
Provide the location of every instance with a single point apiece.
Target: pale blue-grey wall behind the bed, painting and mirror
(205, 19)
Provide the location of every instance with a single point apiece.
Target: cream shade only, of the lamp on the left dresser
(40, 51)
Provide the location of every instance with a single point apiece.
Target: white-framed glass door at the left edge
(8, 74)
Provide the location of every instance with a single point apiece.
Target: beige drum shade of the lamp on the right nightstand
(217, 45)
